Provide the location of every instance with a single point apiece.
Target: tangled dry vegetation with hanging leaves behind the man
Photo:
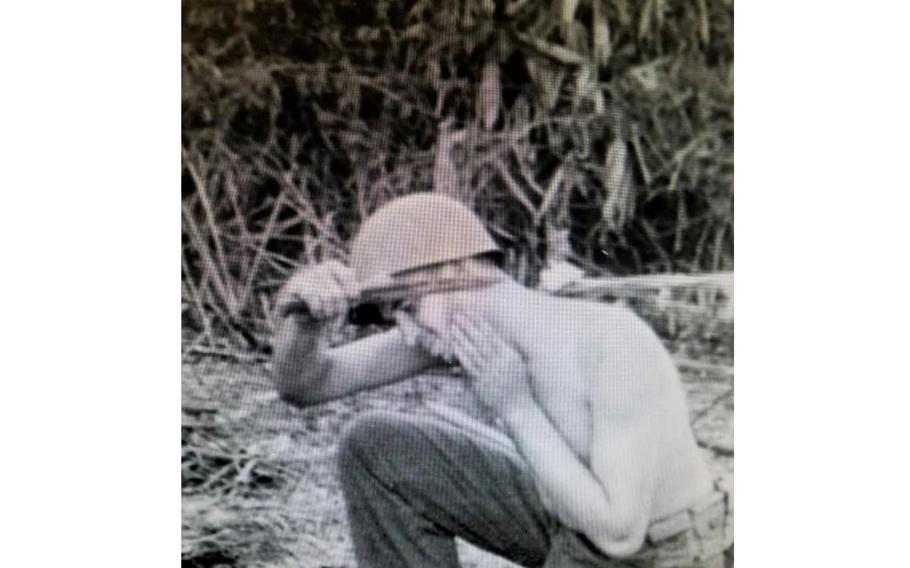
(598, 130)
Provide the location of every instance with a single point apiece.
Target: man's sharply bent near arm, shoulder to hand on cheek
(610, 502)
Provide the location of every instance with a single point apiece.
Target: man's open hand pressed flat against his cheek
(499, 372)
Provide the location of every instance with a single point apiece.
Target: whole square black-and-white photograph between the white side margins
(457, 283)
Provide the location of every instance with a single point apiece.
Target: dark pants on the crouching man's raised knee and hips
(414, 482)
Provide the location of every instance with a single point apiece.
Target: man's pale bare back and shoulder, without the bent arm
(568, 345)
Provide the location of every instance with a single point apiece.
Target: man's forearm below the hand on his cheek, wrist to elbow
(574, 494)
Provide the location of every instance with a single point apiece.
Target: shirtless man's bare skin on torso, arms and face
(586, 391)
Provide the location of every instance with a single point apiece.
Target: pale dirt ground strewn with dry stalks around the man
(259, 480)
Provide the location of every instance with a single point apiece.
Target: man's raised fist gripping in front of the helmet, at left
(327, 289)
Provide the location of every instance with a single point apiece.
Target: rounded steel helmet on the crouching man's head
(414, 231)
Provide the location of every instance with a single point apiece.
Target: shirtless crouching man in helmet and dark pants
(593, 462)
